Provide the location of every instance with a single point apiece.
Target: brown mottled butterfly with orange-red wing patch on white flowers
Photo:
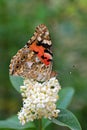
(34, 60)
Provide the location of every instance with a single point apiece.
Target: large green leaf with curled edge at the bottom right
(66, 118)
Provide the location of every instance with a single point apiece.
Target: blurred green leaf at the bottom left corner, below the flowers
(14, 123)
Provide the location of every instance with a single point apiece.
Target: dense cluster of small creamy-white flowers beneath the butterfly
(39, 100)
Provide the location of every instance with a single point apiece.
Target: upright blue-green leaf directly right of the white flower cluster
(65, 97)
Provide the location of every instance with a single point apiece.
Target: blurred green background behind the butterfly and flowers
(67, 23)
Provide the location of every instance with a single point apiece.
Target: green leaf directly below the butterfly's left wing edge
(16, 81)
